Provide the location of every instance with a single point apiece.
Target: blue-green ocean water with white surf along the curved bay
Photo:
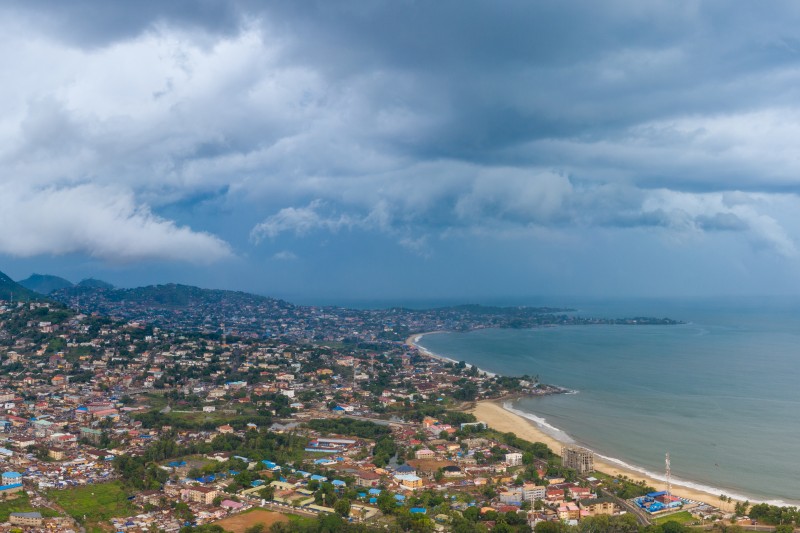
(718, 393)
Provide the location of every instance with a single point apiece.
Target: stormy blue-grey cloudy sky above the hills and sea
(400, 149)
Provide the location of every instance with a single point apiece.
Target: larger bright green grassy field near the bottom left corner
(97, 503)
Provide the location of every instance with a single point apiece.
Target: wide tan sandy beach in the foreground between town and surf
(502, 420)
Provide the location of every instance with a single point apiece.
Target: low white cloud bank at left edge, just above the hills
(101, 222)
